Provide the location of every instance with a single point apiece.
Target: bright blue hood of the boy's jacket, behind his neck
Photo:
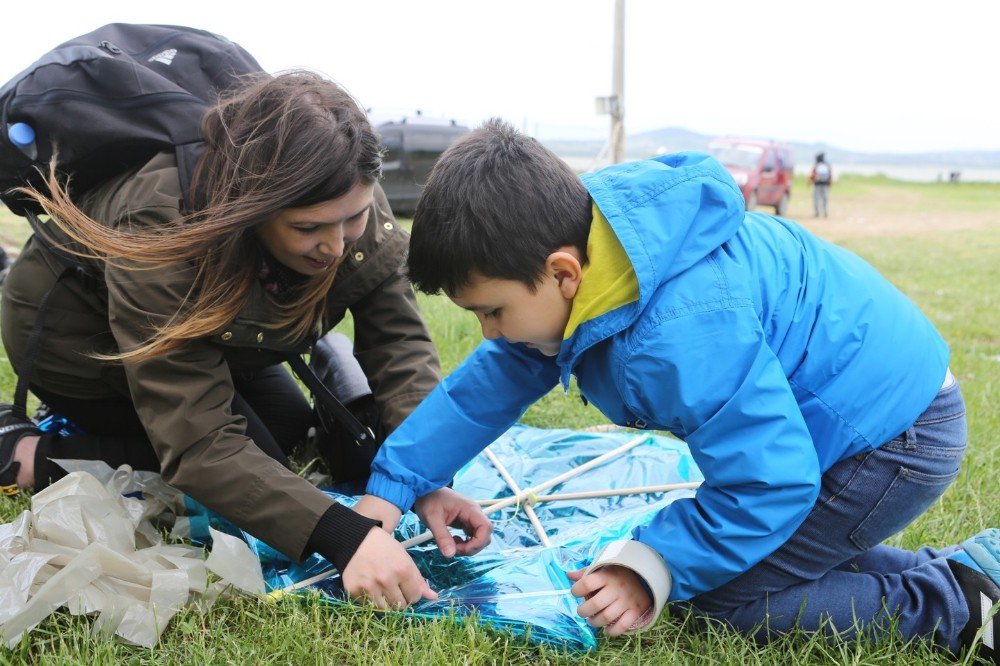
(668, 213)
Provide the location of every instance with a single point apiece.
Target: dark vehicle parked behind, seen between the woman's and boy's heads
(412, 146)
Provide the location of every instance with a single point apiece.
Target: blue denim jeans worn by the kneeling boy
(833, 575)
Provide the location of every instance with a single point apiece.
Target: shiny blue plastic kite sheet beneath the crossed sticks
(515, 583)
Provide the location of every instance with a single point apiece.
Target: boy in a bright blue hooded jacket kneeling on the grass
(814, 396)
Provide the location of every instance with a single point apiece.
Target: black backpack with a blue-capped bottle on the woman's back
(110, 100)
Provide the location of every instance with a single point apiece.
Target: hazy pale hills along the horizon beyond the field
(673, 139)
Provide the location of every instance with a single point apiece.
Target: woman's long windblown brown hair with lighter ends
(277, 142)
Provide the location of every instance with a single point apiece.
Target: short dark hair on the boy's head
(496, 204)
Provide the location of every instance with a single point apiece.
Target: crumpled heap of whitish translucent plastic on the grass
(85, 547)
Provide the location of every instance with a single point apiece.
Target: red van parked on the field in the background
(762, 169)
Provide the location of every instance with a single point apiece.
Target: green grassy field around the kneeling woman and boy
(940, 243)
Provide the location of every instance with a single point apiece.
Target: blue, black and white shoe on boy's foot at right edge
(977, 569)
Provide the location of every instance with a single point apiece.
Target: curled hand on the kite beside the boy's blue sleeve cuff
(444, 507)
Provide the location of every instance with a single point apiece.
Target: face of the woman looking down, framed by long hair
(312, 239)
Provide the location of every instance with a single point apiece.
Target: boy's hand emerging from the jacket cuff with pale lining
(615, 598)
